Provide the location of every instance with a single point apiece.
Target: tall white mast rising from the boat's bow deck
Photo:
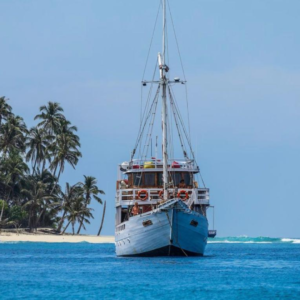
(163, 82)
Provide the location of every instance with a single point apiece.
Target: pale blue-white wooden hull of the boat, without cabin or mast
(175, 230)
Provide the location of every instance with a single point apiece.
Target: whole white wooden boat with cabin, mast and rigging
(160, 206)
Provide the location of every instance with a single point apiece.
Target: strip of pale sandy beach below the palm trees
(52, 238)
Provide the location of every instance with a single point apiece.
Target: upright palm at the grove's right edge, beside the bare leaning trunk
(89, 191)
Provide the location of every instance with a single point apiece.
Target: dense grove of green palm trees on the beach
(31, 163)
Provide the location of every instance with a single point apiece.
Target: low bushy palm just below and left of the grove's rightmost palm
(76, 212)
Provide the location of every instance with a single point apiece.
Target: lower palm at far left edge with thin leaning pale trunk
(12, 170)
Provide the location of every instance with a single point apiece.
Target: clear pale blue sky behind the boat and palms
(241, 60)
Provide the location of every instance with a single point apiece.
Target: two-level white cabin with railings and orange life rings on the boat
(141, 182)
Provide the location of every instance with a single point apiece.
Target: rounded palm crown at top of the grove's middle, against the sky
(51, 115)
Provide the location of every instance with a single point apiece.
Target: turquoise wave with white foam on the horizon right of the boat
(253, 240)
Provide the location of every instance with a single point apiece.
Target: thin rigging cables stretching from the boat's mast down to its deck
(171, 114)
